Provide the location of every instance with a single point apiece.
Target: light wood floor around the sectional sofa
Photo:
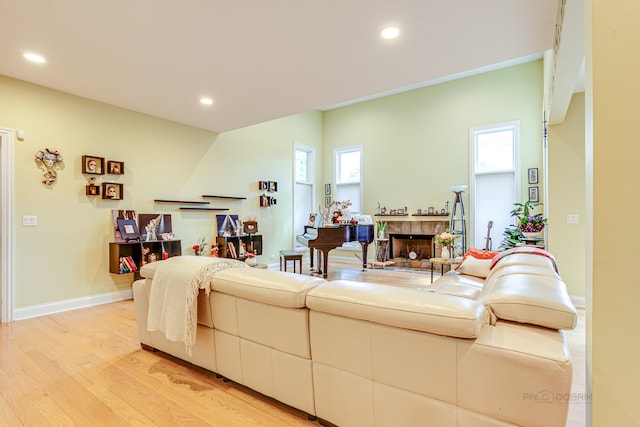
(86, 368)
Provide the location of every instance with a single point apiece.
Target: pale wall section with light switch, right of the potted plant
(567, 242)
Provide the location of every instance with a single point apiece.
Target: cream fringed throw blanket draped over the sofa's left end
(174, 294)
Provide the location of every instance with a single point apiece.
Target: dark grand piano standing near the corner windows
(325, 239)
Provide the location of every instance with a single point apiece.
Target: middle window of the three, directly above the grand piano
(348, 167)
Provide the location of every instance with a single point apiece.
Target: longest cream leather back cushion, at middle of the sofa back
(407, 308)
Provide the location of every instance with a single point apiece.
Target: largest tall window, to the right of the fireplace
(495, 185)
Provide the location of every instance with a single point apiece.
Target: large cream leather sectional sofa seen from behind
(478, 347)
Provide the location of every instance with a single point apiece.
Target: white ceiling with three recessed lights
(260, 59)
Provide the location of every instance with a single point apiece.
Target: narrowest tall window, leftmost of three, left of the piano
(304, 178)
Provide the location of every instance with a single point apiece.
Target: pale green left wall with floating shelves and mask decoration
(66, 256)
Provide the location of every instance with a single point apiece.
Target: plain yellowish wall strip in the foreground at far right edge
(612, 106)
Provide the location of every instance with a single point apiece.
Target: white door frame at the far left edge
(6, 225)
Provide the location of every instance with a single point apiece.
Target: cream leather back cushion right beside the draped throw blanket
(270, 287)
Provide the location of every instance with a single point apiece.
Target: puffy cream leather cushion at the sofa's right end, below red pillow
(540, 300)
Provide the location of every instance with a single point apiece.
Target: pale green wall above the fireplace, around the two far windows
(416, 144)
